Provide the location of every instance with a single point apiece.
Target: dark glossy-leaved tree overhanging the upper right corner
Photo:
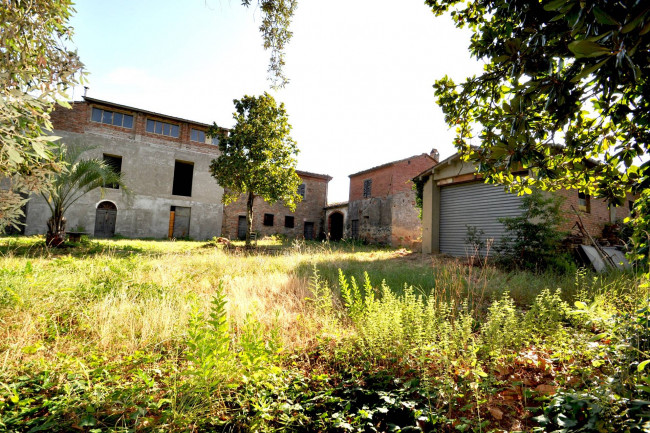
(566, 84)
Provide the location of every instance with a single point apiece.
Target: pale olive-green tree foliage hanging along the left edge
(36, 69)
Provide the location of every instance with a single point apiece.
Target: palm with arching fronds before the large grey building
(78, 178)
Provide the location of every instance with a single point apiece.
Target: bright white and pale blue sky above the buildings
(361, 71)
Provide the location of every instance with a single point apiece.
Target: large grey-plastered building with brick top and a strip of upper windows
(165, 162)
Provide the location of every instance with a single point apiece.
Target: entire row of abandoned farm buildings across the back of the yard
(165, 162)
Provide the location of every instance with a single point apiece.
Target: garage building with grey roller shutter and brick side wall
(455, 198)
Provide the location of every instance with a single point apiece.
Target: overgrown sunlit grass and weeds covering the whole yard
(123, 335)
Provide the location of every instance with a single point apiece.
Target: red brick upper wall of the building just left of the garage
(390, 179)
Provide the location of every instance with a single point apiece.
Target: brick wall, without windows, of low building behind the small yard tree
(311, 209)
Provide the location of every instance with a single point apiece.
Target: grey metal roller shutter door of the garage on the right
(473, 204)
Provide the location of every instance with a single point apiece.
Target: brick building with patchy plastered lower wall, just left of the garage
(381, 205)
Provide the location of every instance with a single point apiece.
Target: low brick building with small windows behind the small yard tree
(271, 219)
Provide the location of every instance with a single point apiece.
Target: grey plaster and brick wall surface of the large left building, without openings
(148, 169)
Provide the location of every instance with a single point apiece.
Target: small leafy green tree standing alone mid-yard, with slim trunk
(258, 156)
